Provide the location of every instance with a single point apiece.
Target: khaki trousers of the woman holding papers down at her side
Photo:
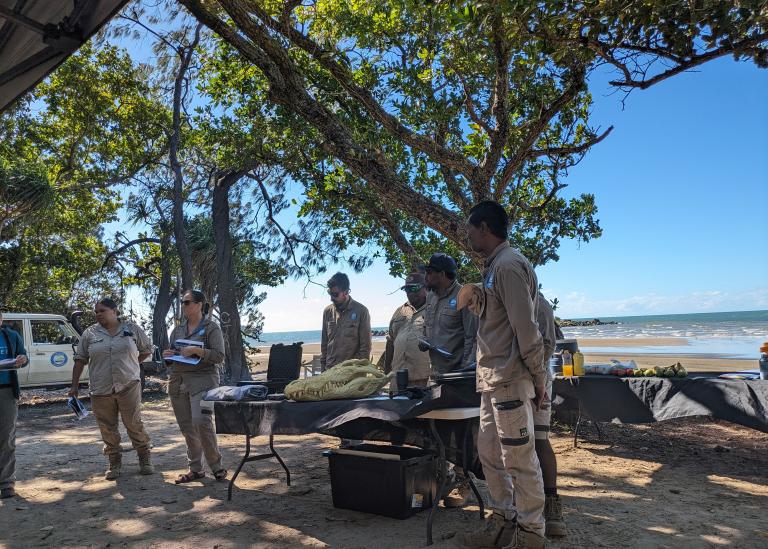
(126, 403)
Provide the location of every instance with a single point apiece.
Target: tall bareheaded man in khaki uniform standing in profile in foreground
(510, 375)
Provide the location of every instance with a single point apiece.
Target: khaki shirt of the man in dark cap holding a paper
(450, 329)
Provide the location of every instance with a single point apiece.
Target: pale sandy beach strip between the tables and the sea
(692, 362)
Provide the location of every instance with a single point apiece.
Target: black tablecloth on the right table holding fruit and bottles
(645, 400)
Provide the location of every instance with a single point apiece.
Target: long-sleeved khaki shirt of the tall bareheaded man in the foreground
(510, 348)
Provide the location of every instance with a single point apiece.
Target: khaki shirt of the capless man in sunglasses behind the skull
(346, 334)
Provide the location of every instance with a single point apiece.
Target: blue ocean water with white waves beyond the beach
(731, 334)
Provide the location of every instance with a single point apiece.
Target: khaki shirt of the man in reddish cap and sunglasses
(405, 329)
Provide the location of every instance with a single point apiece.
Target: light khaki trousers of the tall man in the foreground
(506, 448)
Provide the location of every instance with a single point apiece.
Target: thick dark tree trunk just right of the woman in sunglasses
(225, 281)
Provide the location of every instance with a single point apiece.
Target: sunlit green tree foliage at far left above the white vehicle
(87, 128)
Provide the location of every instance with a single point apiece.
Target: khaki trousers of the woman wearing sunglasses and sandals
(198, 430)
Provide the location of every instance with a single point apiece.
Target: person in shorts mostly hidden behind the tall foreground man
(542, 418)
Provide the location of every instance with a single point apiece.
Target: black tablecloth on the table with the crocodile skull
(382, 419)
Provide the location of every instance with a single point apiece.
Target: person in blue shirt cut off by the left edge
(11, 347)
